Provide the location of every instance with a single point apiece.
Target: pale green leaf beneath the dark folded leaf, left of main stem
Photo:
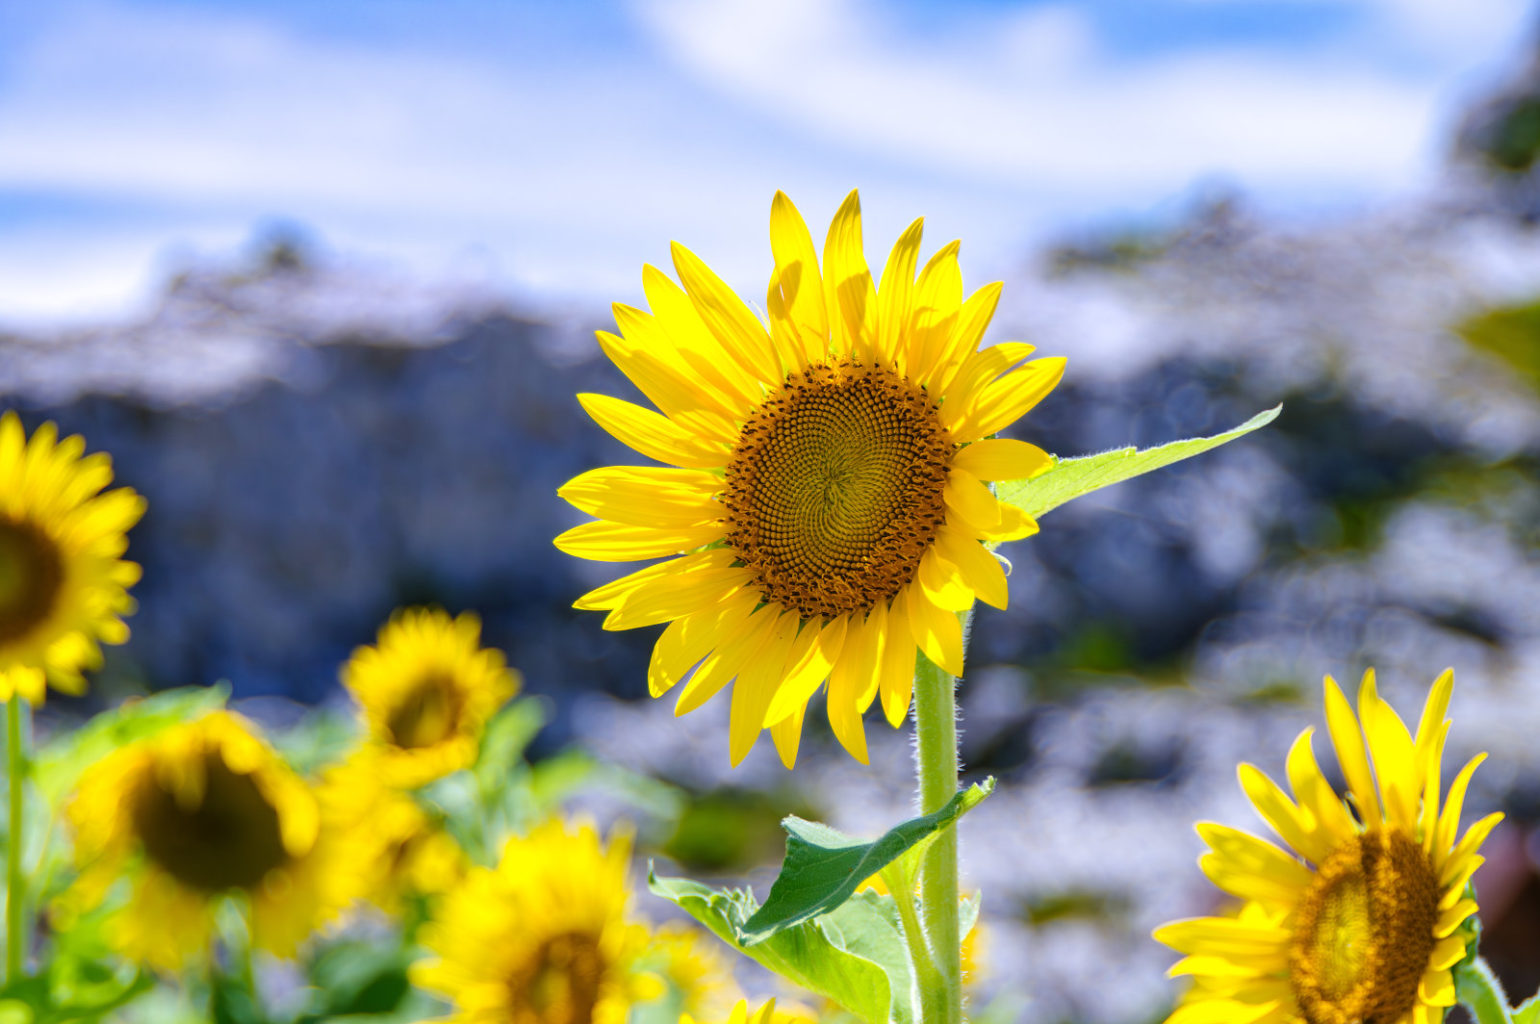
(854, 955)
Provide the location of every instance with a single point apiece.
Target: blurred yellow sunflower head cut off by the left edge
(64, 584)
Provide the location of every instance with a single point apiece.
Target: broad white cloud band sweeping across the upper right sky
(1029, 99)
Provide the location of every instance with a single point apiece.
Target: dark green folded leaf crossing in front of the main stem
(823, 866)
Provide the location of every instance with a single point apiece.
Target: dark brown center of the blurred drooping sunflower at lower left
(229, 840)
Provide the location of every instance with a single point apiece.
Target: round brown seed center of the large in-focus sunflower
(837, 487)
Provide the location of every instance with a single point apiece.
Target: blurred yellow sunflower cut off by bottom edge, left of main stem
(544, 939)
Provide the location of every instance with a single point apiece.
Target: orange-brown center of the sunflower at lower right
(1365, 932)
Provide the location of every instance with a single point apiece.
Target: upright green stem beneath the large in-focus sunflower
(937, 766)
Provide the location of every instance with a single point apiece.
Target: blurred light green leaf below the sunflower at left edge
(59, 765)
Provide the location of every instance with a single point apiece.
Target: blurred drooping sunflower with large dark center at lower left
(198, 812)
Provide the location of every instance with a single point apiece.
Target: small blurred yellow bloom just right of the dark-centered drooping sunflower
(401, 851)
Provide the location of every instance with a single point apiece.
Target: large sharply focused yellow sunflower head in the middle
(825, 504)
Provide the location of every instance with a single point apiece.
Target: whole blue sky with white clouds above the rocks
(554, 149)
